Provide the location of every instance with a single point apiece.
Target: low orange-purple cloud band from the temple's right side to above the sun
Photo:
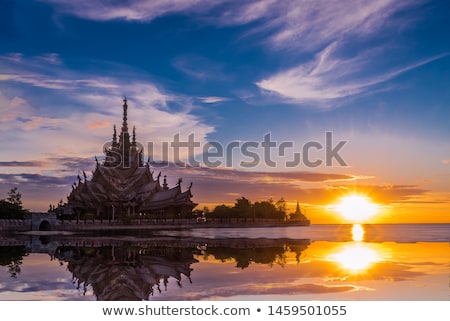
(225, 185)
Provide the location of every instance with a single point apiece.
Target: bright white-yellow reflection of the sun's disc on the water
(356, 257)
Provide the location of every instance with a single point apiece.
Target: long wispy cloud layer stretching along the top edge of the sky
(303, 24)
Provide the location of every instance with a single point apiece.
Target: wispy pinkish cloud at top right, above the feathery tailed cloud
(311, 24)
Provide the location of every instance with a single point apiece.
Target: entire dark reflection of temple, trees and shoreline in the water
(114, 269)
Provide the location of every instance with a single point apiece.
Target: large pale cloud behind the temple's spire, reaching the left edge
(85, 101)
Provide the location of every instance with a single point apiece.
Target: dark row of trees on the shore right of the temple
(246, 210)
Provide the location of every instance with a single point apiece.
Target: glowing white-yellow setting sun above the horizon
(356, 208)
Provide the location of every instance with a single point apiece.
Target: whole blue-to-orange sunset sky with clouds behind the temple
(308, 100)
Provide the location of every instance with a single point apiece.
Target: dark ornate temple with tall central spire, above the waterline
(123, 186)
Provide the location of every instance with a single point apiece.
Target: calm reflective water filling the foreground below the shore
(320, 262)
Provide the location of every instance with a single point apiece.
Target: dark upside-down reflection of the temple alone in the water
(126, 272)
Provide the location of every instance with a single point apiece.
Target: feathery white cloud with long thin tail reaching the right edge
(329, 77)
